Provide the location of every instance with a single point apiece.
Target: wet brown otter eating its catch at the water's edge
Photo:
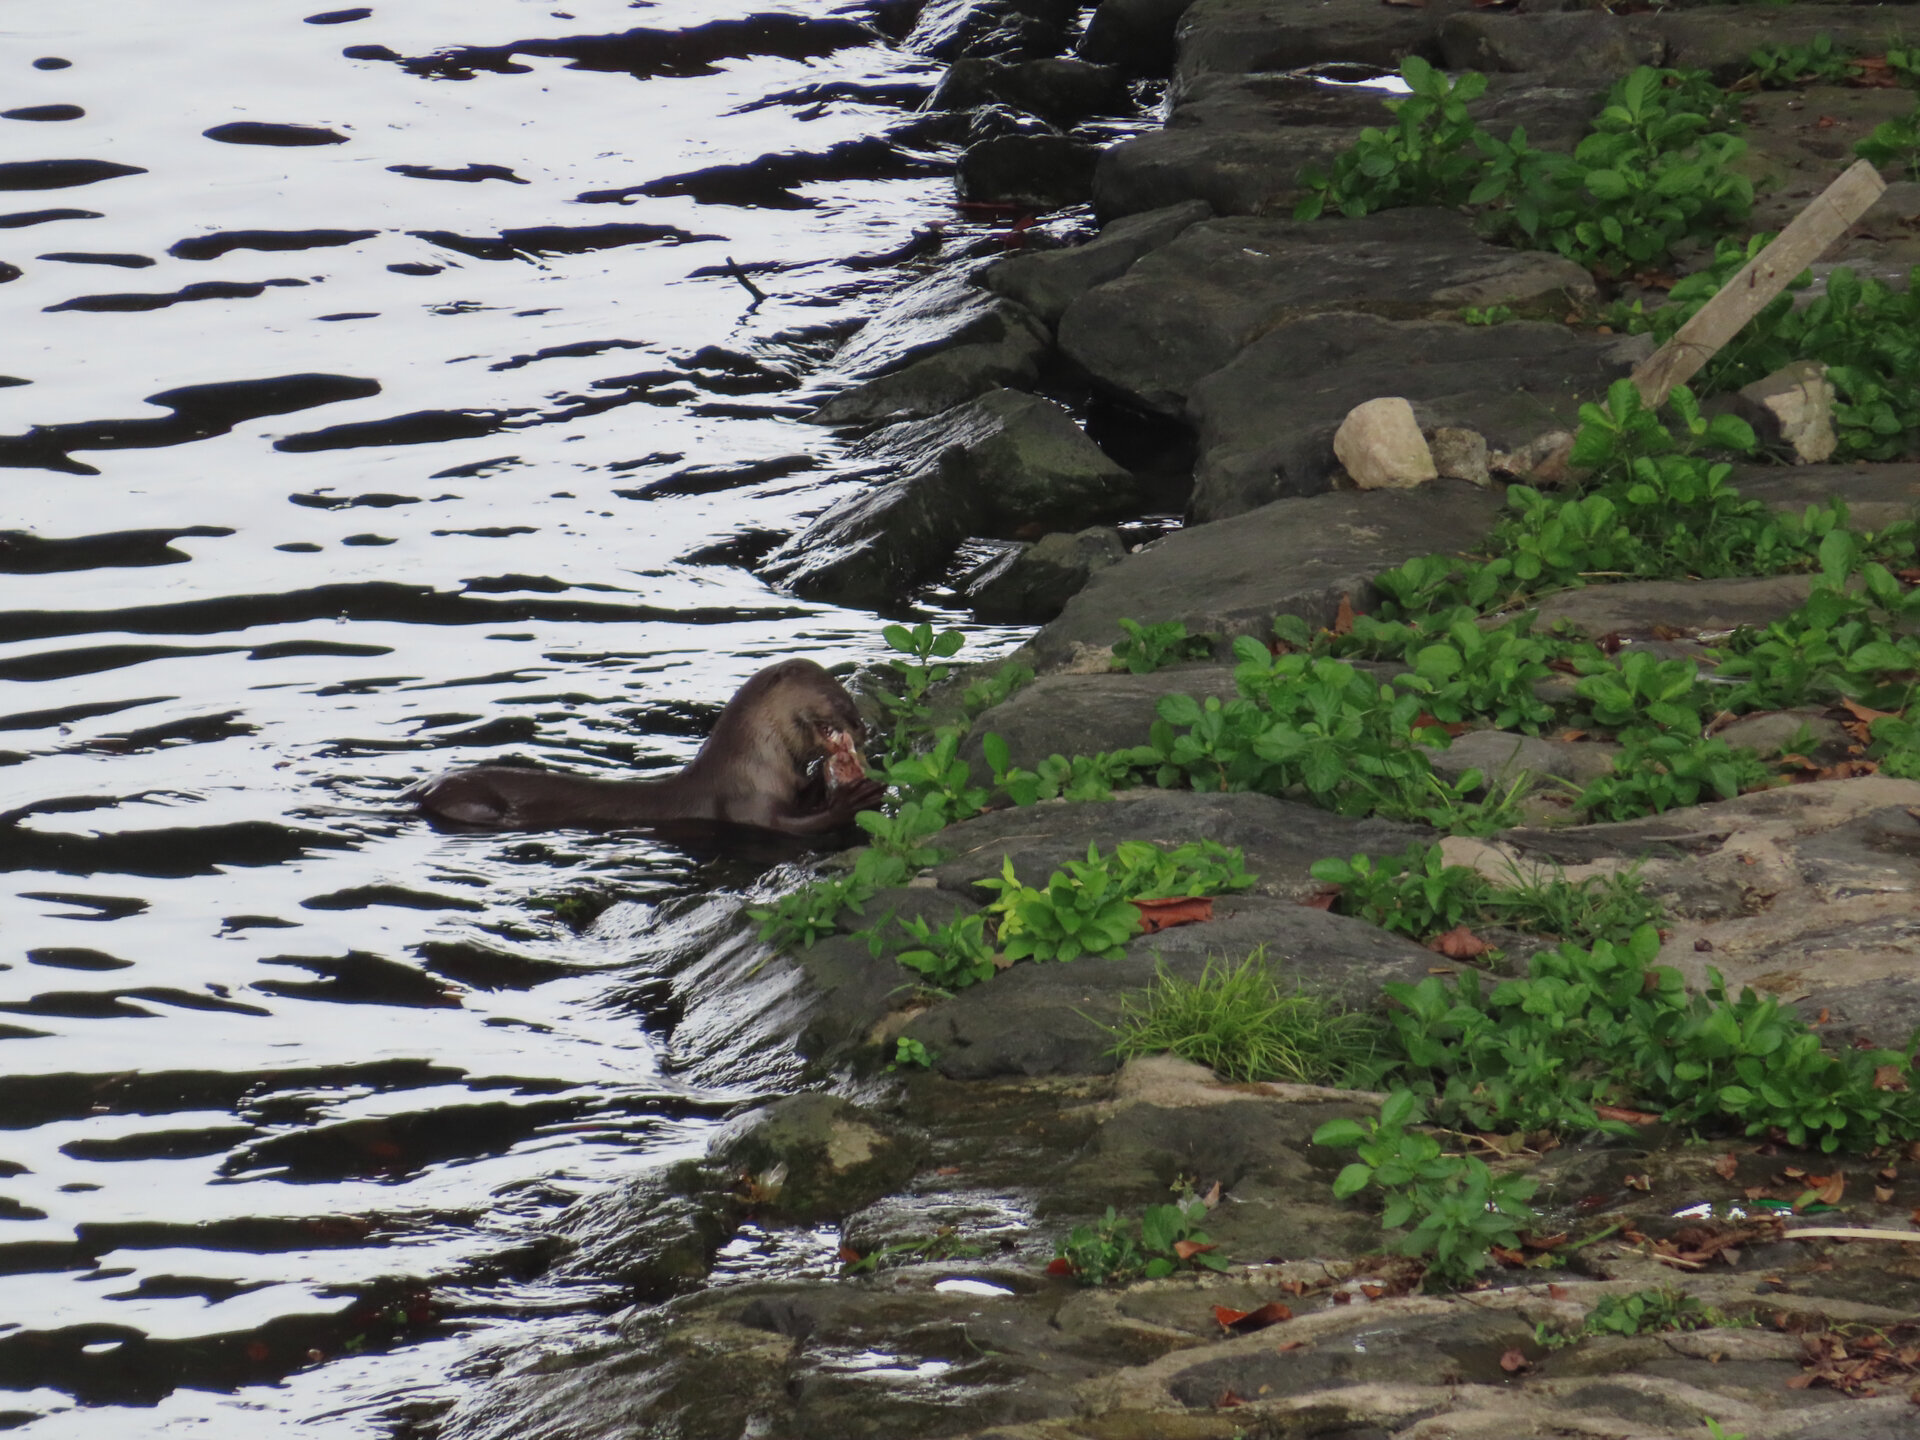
(784, 756)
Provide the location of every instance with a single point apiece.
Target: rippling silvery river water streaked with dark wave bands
(370, 408)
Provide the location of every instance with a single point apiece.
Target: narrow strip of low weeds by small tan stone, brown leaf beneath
(1418, 894)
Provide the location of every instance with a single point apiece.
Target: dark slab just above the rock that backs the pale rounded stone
(1191, 306)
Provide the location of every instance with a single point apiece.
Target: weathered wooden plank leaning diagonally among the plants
(1813, 231)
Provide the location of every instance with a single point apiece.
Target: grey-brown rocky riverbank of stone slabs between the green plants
(873, 1259)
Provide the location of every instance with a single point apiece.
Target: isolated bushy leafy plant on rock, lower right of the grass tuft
(1454, 1207)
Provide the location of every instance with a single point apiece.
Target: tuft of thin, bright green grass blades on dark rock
(1245, 1026)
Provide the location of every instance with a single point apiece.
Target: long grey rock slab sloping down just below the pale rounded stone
(1289, 558)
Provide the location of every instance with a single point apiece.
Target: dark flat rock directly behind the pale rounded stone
(1268, 418)
